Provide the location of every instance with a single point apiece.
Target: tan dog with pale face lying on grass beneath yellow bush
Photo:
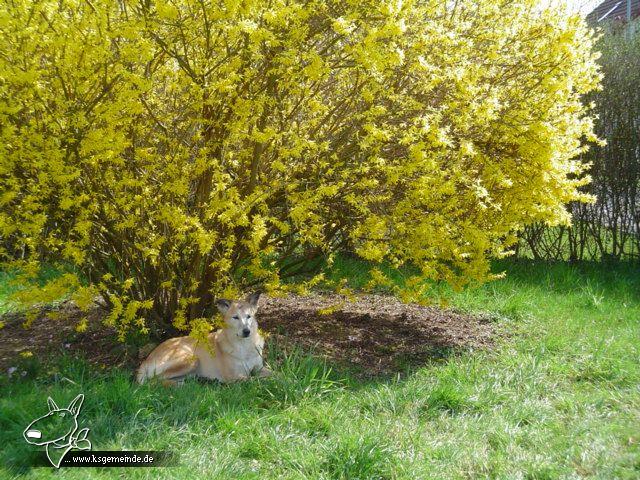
(237, 349)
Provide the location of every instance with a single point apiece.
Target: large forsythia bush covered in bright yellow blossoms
(166, 152)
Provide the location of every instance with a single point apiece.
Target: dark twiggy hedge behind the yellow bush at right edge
(610, 227)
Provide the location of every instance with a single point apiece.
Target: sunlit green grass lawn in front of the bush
(559, 397)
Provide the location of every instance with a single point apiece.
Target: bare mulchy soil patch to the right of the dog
(377, 334)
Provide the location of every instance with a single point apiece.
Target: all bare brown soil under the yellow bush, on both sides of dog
(373, 334)
